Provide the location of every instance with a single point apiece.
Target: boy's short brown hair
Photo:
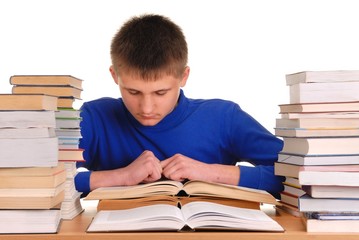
(150, 45)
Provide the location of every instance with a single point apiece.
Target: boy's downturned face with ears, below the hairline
(149, 101)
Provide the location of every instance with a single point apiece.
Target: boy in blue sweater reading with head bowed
(154, 131)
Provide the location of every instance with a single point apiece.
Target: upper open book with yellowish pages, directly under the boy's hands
(178, 193)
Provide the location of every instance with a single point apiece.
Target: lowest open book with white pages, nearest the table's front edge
(192, 216)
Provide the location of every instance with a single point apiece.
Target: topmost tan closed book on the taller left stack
(54, 80)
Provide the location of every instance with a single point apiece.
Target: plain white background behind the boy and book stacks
(238, 50)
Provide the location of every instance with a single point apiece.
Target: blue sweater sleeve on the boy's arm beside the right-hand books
(256, 145)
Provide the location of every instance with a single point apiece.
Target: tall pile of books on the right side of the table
(320, 157)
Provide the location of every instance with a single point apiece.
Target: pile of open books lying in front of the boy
(173, 206)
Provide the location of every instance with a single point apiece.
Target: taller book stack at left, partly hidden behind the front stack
(67, 89)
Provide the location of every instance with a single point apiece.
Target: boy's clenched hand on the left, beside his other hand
(146, 168)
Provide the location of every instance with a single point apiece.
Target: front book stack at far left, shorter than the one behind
(32, 180)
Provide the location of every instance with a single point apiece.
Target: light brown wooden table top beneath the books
(76, 229)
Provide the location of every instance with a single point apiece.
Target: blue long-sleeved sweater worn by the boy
(211, 131)
